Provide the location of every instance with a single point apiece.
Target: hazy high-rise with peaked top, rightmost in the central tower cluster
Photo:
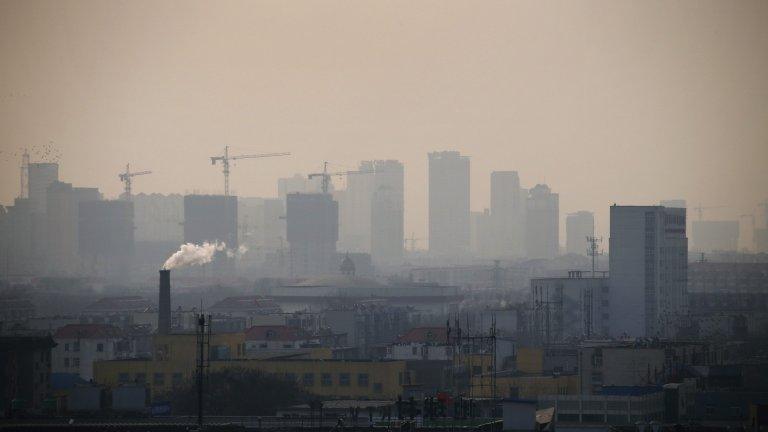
(542, 238)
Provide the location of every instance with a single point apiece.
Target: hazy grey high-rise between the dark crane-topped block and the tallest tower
(387, 213)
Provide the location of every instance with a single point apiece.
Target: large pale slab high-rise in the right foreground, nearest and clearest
(648, 270)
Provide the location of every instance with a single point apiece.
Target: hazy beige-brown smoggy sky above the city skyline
(606, 101)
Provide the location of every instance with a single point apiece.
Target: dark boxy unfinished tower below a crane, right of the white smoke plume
(312, 226)
